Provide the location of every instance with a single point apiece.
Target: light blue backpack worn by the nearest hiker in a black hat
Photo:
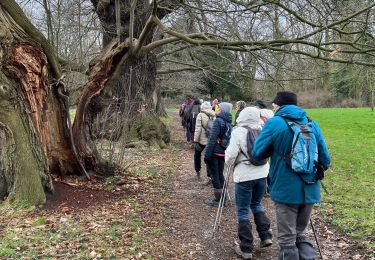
(303, 156)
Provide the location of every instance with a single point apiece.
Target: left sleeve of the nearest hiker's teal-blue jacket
(262, 148)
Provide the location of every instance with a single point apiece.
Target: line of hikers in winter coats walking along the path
(280, 151)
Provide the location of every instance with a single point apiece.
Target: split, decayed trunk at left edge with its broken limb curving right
(36, 138)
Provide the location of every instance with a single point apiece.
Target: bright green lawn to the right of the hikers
(350, 181)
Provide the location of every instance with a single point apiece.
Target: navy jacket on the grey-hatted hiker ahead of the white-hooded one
(218, 130)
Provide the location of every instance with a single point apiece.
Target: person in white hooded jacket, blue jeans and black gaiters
(250, 184)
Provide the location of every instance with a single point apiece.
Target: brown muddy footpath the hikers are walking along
(191, 221)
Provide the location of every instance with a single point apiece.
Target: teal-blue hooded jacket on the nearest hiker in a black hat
(276, 138)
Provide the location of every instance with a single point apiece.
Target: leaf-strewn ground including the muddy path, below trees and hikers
(153, 210)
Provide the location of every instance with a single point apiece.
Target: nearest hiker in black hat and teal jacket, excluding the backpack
(293, 198)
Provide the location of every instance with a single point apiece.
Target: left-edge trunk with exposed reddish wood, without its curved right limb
(33, 137)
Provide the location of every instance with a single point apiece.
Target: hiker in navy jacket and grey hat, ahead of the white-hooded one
(214, 156)
